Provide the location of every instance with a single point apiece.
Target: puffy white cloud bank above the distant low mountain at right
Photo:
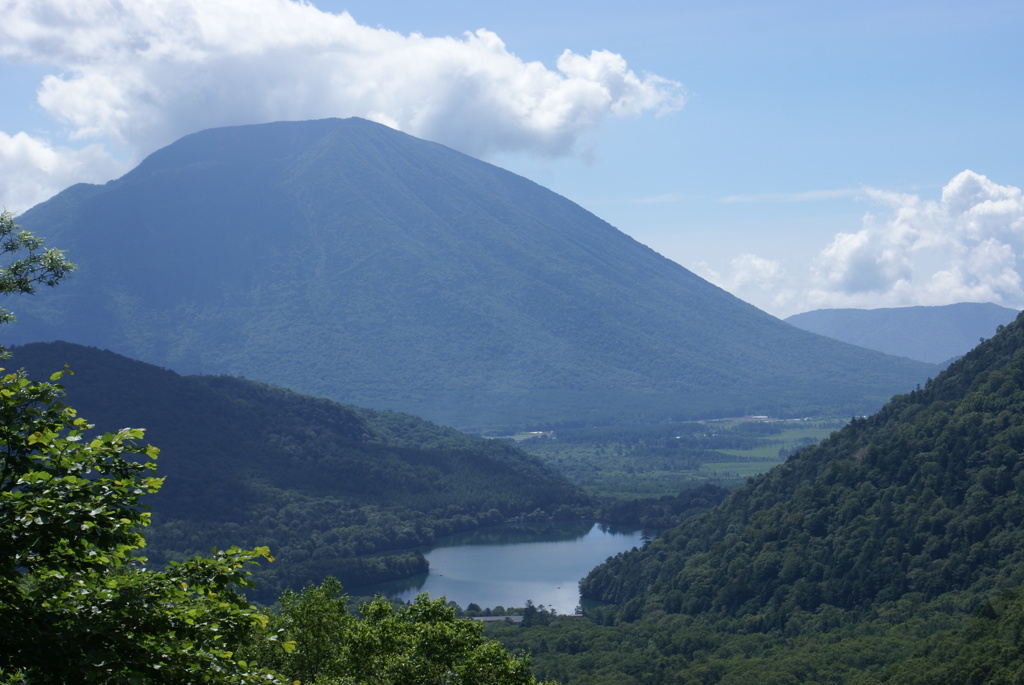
(966, 247)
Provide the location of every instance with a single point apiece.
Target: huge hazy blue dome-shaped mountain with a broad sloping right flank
(342, 259)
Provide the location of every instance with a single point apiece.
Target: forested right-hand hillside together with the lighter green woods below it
(892, 552)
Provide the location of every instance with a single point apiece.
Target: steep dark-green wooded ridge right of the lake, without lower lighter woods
(924, 498)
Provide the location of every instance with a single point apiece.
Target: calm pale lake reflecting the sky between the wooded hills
(507, 566)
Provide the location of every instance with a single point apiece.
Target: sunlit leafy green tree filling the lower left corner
(76, 605)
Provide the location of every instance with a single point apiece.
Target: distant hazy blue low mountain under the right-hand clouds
(936, 335)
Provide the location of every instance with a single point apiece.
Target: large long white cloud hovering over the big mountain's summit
(140, 75)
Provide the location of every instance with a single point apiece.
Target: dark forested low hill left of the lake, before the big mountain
(249, 464)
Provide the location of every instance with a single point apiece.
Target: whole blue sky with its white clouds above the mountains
(801, 155)
